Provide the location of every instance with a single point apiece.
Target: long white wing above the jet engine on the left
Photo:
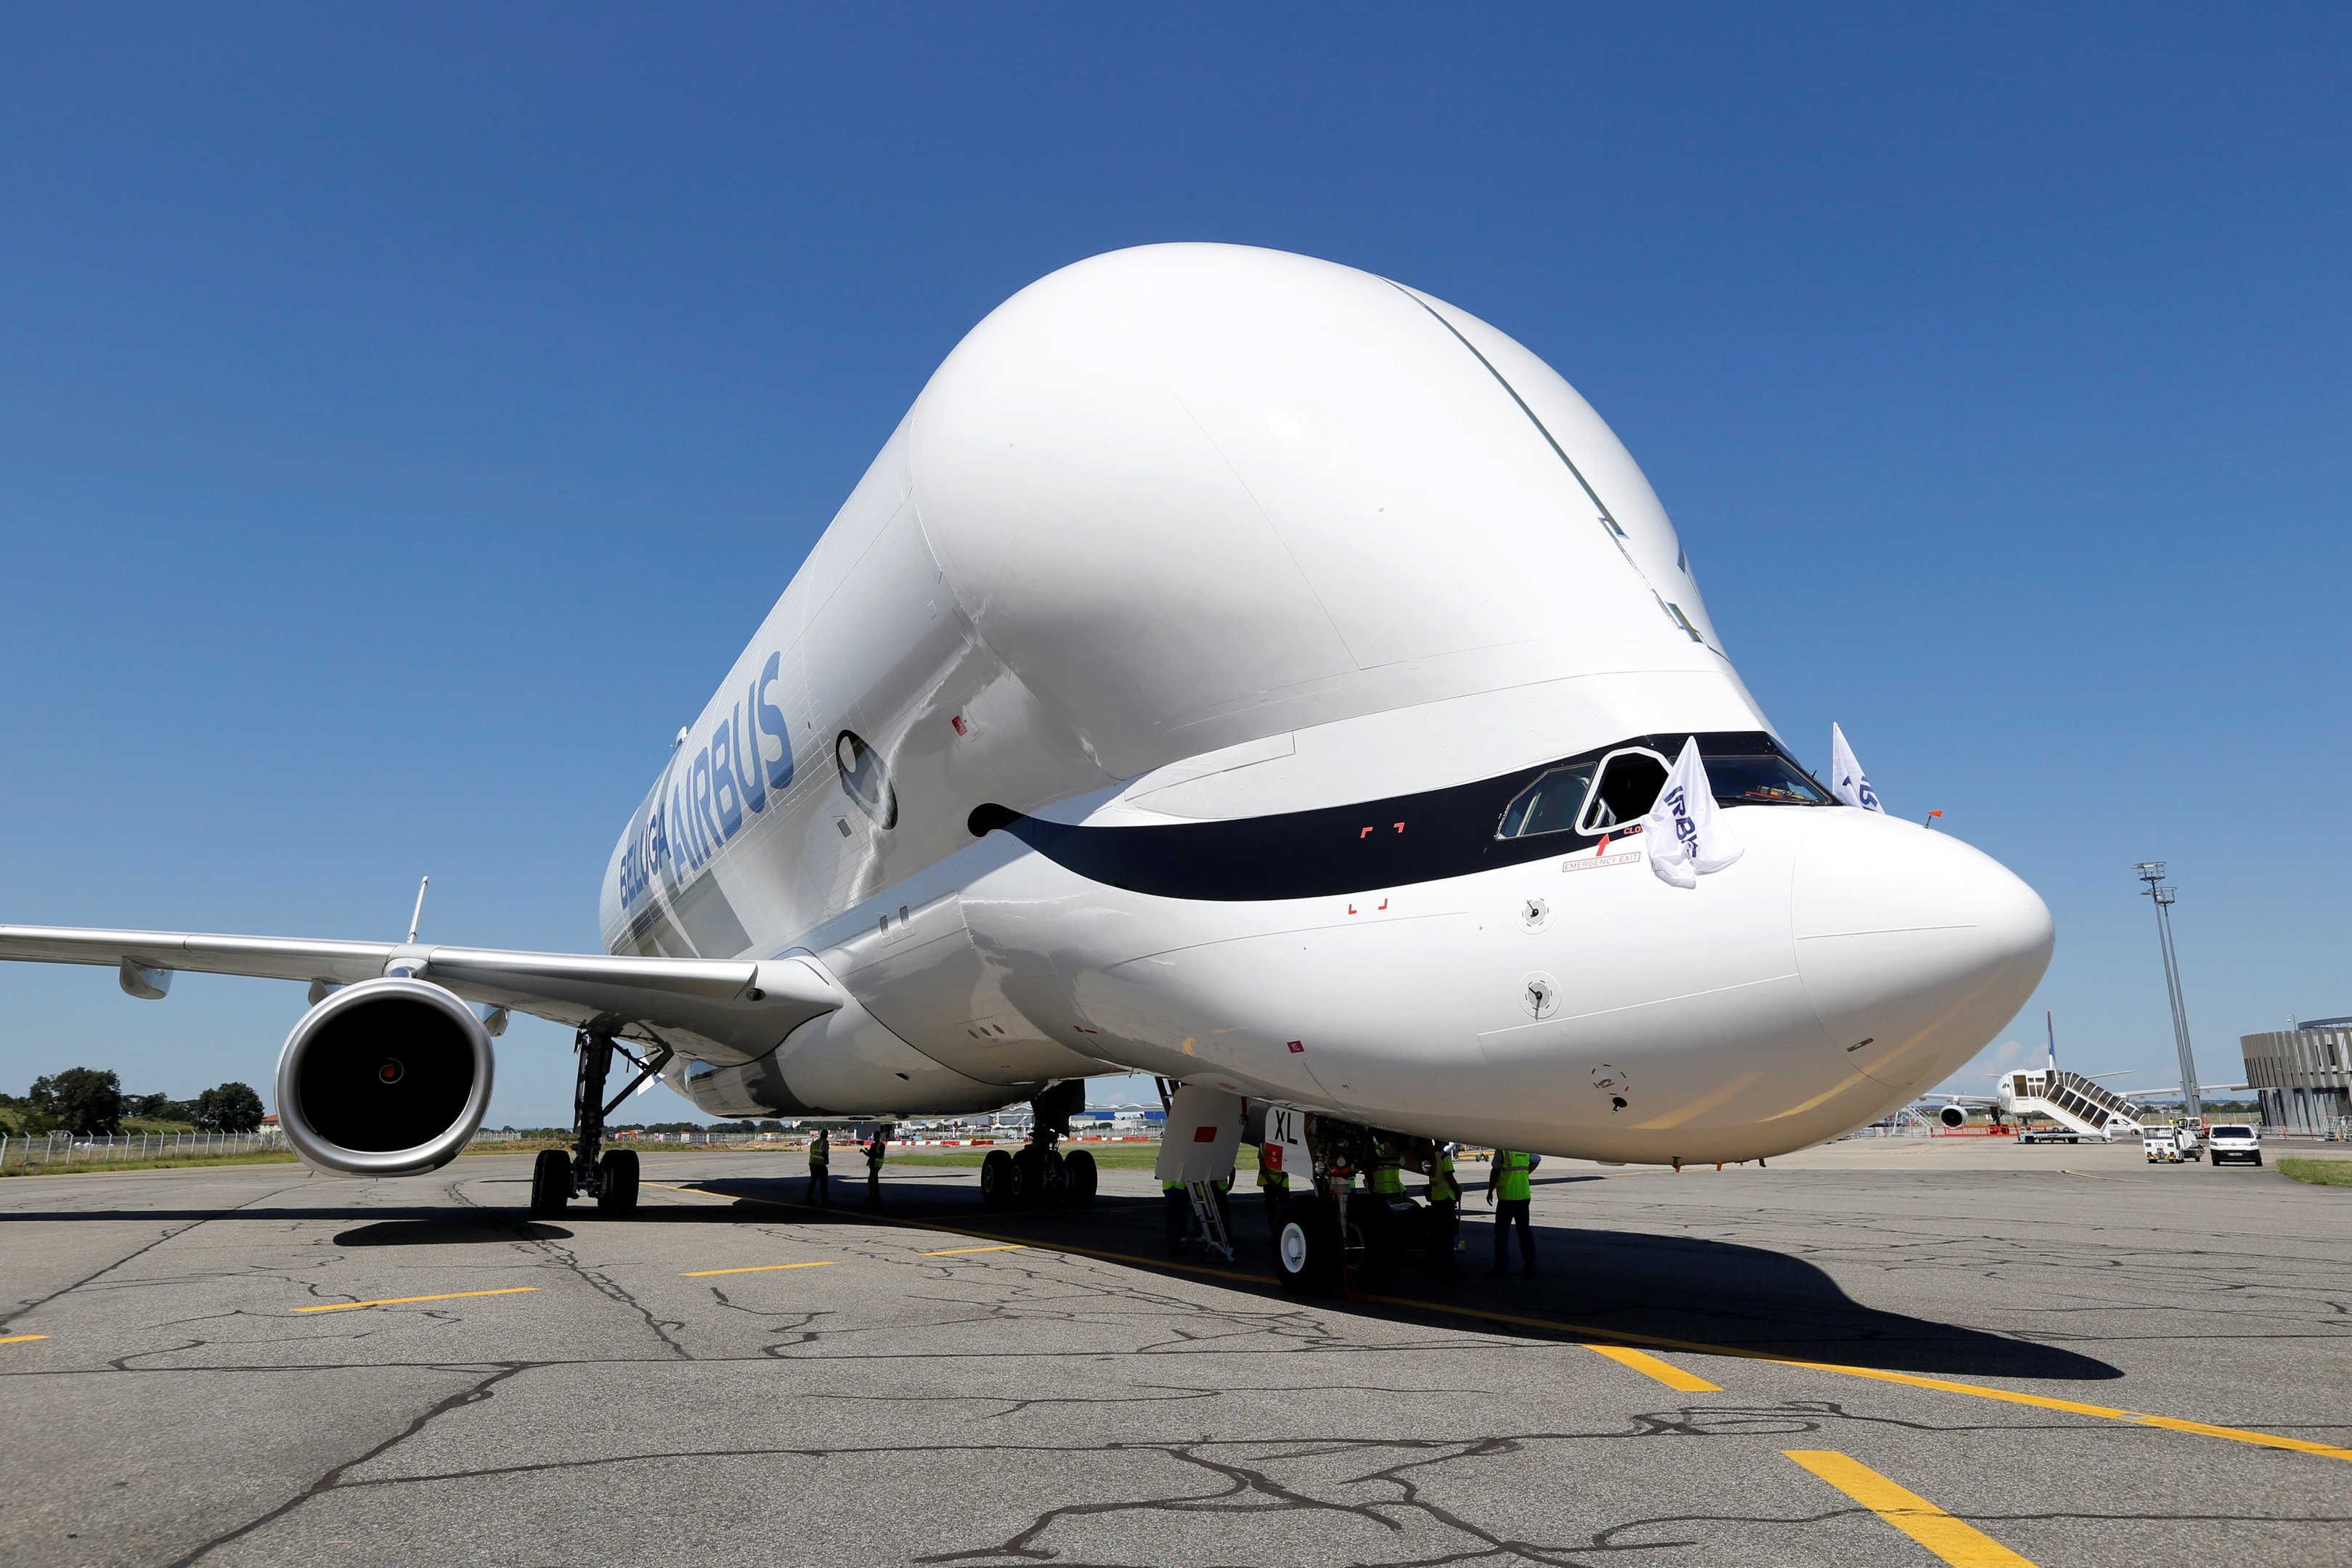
(733, 1010)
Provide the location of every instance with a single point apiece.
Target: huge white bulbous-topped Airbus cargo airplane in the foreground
(1236, 669)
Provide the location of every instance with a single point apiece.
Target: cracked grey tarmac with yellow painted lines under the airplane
(1876, 1353)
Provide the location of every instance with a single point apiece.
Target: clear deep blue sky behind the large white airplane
(408, 413)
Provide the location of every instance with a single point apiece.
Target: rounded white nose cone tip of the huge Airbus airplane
(1913, 946)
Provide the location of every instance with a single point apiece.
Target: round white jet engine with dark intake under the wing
(385, 1078)
